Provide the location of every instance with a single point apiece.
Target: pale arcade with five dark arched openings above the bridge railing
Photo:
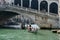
(50, 6)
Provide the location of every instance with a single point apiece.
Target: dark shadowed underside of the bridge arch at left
(5, 15)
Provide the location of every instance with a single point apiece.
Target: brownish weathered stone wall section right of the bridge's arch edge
(46, 22)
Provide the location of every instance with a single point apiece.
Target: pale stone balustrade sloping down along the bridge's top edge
(29, 10)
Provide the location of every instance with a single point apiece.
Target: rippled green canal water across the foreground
(14, 34)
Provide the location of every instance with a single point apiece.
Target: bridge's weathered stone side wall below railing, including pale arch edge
(42, 21)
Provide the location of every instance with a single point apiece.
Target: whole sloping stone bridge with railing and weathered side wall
(41, 18)
